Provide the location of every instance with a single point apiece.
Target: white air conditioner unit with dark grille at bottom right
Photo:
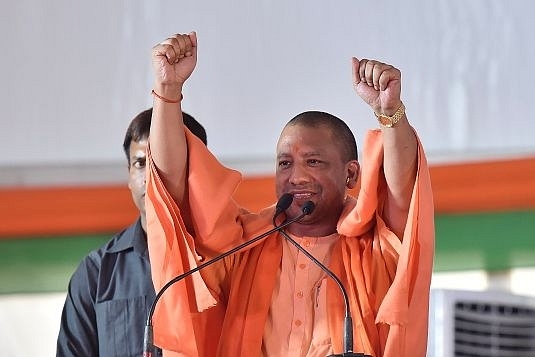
(480, 324)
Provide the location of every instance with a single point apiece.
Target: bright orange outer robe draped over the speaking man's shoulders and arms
(387, 277)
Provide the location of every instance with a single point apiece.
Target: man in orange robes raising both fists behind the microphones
(271, 299)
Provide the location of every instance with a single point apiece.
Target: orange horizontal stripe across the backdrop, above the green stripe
(457, 188)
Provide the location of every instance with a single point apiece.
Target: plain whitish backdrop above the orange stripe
(74, 74)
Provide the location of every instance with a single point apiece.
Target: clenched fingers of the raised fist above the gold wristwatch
(374, 73)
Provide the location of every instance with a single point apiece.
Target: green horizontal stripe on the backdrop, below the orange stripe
(490, 241)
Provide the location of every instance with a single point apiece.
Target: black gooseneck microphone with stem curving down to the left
(282, 205)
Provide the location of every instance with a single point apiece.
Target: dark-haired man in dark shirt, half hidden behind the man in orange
(111, 291)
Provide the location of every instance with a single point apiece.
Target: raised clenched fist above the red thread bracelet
(173, 61)
